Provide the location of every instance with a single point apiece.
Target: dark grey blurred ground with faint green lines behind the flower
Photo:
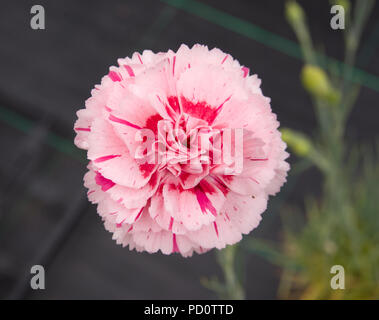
(45, 77)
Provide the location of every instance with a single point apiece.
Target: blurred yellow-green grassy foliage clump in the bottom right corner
(330, 236)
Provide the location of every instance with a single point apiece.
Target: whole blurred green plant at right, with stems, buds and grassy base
(340, 227)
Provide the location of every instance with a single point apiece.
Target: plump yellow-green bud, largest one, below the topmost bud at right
(316, 82)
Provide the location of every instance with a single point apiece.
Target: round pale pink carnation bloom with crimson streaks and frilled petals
(156, 187)
